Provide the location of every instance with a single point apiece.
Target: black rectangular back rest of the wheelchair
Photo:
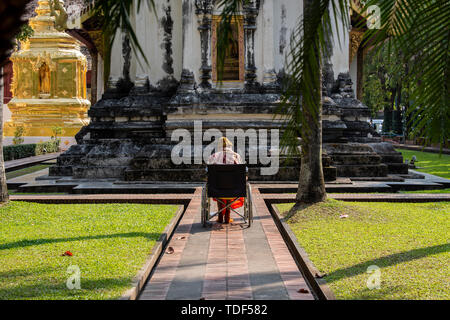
(226, 180)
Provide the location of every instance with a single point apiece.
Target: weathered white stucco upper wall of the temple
(275, 23)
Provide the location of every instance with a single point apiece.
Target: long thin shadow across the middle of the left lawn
(34, 242)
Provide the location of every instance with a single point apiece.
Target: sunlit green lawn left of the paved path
(109, 242)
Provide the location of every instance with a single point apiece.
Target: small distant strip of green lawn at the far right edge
(429, 162)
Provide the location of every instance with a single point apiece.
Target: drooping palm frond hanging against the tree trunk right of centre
(309, 43)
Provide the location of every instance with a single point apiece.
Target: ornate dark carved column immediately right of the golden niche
(250, 14)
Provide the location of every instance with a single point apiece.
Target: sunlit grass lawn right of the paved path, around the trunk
(408, 242)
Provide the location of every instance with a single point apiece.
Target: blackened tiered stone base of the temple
(130, 137)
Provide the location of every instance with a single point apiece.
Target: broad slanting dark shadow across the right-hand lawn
(387, 261)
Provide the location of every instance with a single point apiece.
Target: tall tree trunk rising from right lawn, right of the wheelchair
(311, 185)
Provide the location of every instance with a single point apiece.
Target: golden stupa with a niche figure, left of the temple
(49, 78)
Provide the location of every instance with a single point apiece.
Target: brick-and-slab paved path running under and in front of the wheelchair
(226, 261)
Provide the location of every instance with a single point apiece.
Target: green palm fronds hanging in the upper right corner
(420, 29)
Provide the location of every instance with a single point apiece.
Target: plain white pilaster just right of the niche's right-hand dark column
(270, 77)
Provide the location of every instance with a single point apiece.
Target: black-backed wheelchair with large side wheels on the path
(227, 181)
